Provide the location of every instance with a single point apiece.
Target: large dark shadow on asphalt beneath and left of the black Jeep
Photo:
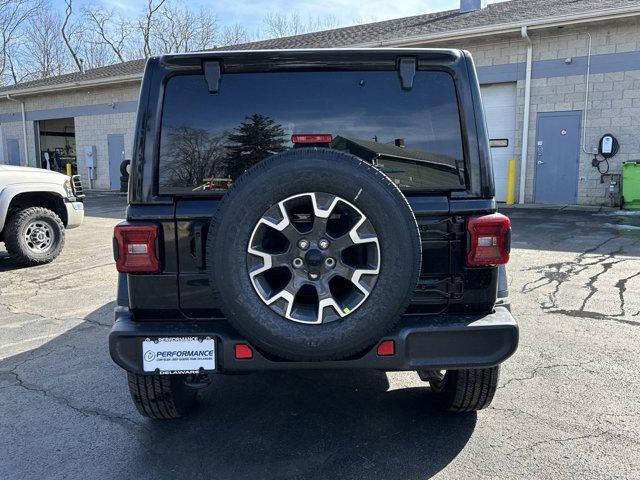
(68, 414)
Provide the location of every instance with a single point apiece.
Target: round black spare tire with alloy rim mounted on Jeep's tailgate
(314, 254)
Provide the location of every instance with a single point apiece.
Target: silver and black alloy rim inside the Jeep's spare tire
(318, 266)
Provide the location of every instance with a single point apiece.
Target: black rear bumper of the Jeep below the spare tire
(421, 343)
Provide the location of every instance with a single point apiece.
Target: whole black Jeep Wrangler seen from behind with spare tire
(311, 209)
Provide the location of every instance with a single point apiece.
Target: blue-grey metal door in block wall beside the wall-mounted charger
(557, 157)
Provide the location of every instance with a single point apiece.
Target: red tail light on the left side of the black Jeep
(135, 248)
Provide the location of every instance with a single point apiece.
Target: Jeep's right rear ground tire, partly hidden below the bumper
(465, 390)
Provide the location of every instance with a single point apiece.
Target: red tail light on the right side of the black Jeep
(489, 240)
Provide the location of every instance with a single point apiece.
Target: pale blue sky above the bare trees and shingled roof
(250, 12)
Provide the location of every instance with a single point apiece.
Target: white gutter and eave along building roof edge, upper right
(512, 27)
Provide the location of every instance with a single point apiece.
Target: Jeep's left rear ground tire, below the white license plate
(161, 396)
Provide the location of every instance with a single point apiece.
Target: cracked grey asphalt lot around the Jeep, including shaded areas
(567, 404)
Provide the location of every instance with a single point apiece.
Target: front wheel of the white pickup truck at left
(34, 236)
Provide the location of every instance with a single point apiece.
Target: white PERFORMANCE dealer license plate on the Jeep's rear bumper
(178, 355)
